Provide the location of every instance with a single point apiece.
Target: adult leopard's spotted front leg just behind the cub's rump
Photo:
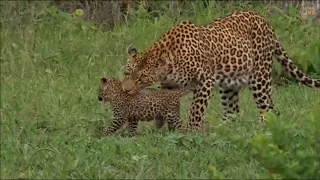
(201, 97)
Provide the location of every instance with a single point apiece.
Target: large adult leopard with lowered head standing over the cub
(231, 52)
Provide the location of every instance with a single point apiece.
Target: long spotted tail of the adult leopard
(292, 69)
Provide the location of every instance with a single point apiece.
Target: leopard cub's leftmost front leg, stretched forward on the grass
(118, 121)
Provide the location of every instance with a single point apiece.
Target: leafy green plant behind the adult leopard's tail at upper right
(300, 39)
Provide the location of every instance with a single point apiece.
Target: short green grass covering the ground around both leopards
(50, 115)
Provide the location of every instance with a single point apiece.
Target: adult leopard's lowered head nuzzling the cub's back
(145, 69)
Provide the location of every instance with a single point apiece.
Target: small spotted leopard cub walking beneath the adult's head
(159, 105)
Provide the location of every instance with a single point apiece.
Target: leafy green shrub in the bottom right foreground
(285, 151)
